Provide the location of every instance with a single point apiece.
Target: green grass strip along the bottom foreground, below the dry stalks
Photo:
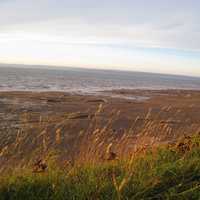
(158, 173)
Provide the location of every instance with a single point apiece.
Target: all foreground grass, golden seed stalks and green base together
(132, 164)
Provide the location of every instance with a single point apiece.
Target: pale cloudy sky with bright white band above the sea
(140, 35)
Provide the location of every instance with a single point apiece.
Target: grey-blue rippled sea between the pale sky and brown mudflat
(87, 81)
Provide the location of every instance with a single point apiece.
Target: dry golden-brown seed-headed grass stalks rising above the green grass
(99, 141)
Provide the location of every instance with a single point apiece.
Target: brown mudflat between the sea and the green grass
(79, 127)
